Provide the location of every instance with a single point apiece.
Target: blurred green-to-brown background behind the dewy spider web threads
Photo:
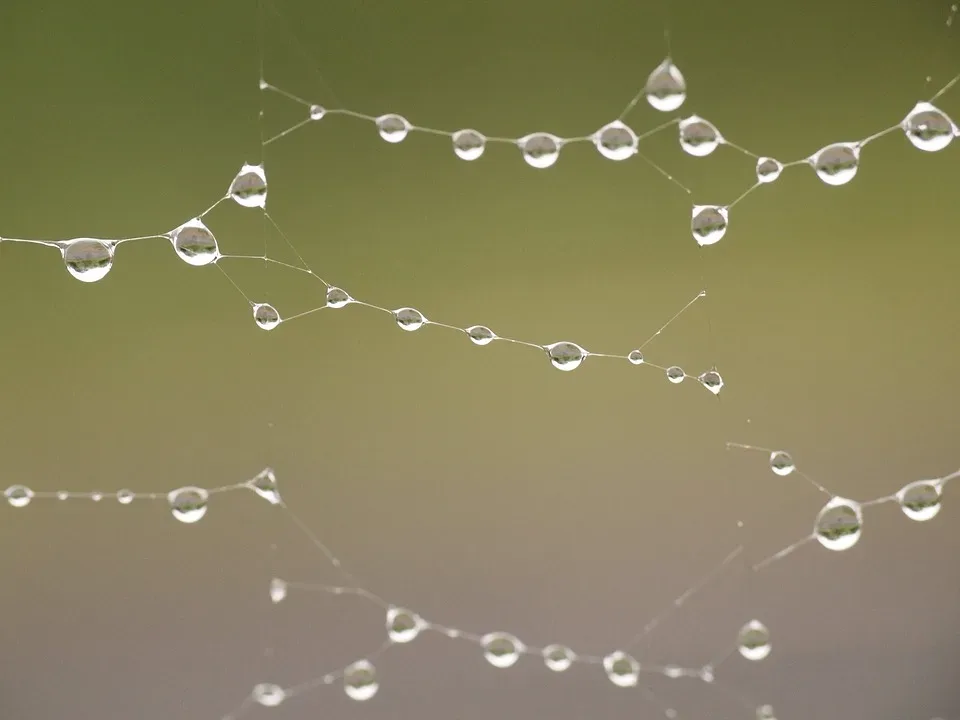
(478, 486)
